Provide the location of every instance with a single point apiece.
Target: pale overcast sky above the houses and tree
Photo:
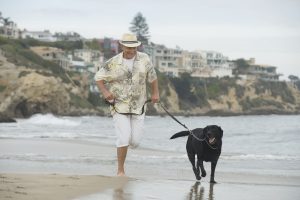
(267, 30)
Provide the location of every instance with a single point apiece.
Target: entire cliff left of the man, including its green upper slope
(30, 85)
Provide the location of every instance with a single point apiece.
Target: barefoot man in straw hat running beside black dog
(122, 82)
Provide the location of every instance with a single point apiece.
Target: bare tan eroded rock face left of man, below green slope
(25, 91)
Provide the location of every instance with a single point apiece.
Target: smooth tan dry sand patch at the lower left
(54, 186)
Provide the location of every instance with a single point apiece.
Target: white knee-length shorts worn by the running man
(129, 129)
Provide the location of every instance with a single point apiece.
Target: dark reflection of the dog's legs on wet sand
(197, 193)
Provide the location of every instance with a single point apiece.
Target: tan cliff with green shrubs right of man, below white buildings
(229, 96)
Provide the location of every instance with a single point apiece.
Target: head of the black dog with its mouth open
(213, 133)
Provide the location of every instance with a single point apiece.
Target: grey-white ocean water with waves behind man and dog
(265, 144)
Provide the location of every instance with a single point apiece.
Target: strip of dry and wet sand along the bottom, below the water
(89, 187)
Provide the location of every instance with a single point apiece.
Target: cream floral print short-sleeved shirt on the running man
(128, 87)
